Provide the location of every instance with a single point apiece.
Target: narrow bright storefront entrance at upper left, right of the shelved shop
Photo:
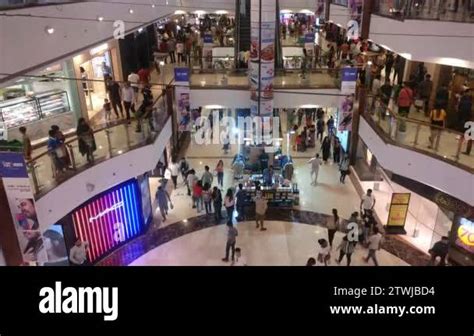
(92, 66)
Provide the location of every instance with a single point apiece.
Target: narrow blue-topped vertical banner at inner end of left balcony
(182, 94)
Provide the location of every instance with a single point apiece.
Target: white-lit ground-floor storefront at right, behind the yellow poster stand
(429, 214)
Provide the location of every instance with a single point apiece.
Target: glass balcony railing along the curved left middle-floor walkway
(112, 139)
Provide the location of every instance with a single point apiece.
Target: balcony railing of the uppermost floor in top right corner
(440, 10)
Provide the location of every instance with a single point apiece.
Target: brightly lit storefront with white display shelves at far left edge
(40, 100)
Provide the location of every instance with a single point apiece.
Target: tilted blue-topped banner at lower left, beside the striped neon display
(22, 205)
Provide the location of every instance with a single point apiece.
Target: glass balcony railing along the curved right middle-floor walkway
(441, 143)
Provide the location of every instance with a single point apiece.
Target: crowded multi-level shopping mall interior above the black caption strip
(179, 133)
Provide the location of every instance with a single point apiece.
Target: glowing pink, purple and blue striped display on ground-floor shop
(109, 220)
